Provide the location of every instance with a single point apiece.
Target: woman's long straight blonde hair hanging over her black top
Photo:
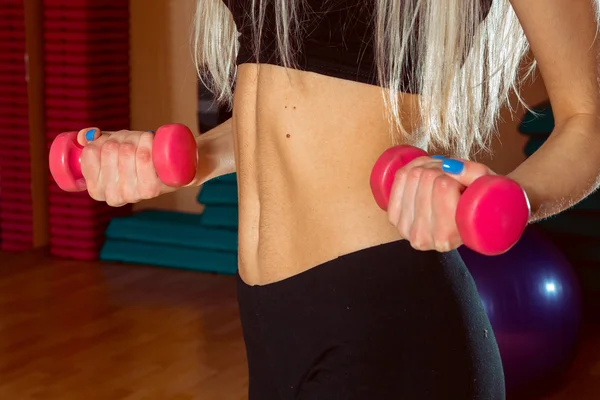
(465, 71)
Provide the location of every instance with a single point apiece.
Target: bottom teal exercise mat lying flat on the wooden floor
(162, 255)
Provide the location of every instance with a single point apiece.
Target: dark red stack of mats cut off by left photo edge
(16, 214)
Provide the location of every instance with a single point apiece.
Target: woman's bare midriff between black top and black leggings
(305, 145)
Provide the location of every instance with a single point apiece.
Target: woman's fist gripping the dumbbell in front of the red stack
(118, 168)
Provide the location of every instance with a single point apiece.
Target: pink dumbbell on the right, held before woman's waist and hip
(492, 212)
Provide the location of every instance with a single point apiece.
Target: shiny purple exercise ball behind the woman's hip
(532, 298)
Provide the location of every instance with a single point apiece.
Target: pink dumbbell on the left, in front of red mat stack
(174, 154)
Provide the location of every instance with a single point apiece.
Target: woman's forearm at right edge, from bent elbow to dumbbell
(565, 169)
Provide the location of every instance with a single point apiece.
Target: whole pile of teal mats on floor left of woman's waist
(204, 242)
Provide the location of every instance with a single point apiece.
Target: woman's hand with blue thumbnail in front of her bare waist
(425, 197)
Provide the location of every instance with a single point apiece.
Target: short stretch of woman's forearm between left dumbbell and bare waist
(216, 154)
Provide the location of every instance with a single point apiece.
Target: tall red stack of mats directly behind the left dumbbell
(86, 69)
